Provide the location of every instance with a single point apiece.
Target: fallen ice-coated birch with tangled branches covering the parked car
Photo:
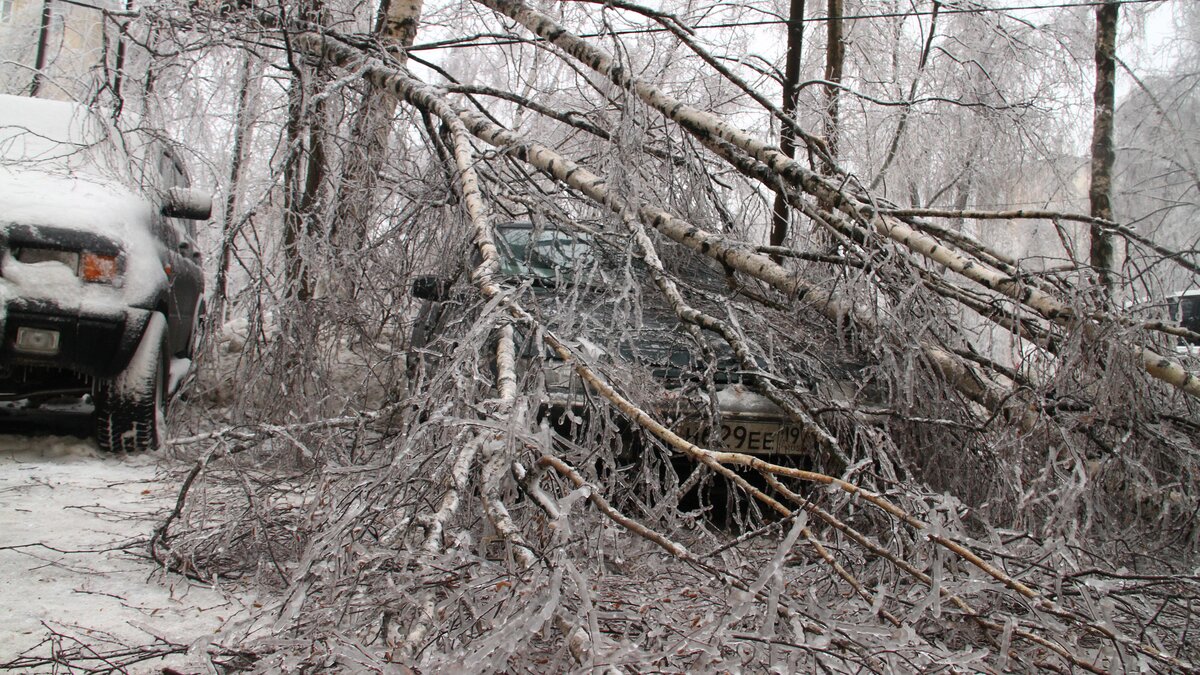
(964, 506)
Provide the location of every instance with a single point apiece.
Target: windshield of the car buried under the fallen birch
(544, 255)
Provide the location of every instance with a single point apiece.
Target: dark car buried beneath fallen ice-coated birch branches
(567, 280)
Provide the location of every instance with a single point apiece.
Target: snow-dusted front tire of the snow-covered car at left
(131, 407)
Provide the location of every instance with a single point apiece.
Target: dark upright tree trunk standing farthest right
(1101, 193)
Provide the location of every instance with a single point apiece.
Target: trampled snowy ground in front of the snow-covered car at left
(67, 511)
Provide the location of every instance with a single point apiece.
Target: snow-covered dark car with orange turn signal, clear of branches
(101, 285)
